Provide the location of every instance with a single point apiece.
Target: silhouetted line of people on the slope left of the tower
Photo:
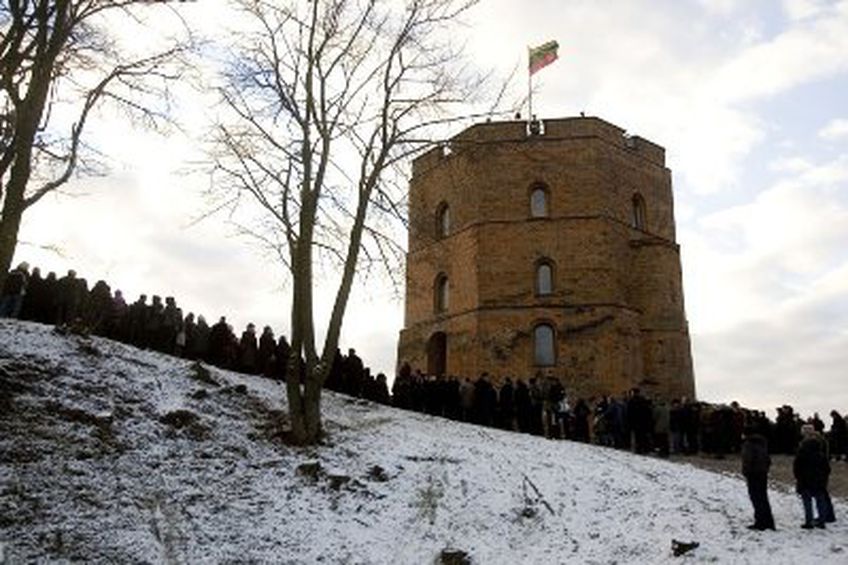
(161, 326)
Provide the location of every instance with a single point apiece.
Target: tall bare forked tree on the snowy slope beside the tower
(321, 103)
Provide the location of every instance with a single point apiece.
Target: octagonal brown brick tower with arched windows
(547, 249)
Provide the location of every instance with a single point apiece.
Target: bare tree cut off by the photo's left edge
(58, 62)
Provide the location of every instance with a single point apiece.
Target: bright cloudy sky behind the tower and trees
(750, 99)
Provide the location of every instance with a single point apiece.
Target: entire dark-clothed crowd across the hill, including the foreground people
(538, 406)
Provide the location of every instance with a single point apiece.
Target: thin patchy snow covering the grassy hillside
(111, 454)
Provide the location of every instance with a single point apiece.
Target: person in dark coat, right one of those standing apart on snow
(812, 468)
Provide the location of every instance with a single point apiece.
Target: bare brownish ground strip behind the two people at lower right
(780, 475)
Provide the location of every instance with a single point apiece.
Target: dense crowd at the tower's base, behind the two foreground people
(541, 406)
